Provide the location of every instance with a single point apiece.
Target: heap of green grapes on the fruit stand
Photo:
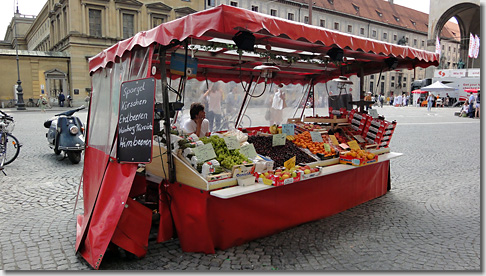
(226, 157)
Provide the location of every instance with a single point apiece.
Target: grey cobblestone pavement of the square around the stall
(430, 220)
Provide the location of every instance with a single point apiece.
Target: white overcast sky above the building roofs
(33, 7)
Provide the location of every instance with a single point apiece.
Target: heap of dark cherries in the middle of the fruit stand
(279, 154)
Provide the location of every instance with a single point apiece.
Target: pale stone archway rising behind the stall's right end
(468, 16)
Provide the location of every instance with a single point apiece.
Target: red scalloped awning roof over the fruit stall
(299, 50)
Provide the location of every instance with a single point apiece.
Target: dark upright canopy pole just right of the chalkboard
(165, 99)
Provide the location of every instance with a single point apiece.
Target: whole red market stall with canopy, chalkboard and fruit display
(128, 159)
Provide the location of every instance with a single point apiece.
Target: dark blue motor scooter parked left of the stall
(66, 134)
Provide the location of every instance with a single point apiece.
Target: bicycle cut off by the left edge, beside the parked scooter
(9, 145)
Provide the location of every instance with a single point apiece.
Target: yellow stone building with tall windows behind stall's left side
(78, 30)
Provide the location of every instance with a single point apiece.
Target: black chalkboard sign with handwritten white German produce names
(135, 121)
